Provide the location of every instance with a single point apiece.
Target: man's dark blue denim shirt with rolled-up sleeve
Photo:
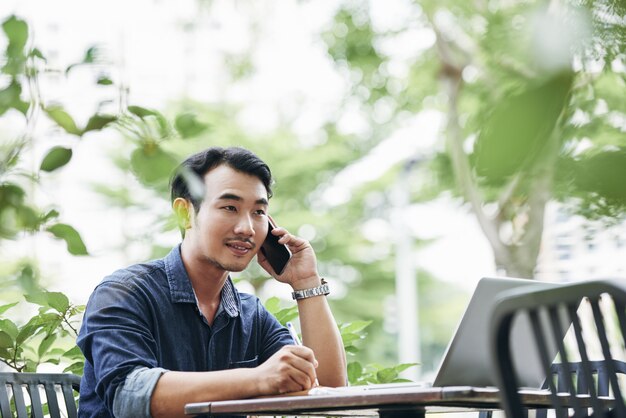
(144, 320)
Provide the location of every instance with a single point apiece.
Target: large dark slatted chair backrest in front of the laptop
(594, 346)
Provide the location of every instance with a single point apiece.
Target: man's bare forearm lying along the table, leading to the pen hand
(175, 389)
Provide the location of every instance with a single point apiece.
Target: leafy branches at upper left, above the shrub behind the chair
(22, 67)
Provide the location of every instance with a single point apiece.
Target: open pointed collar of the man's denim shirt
(181, 290)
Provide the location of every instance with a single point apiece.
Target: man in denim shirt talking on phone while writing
(173, 331)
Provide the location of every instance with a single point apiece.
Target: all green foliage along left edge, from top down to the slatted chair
(48, 335)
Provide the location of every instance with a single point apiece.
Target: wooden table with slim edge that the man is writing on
(396, 403)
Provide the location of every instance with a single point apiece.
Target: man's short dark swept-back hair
(190, 173)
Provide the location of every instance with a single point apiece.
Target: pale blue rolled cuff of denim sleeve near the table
(132, 398)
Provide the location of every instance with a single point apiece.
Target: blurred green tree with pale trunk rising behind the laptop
(533, 97)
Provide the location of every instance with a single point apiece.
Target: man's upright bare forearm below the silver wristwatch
(320, 333)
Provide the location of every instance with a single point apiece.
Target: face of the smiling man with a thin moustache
(231, 224)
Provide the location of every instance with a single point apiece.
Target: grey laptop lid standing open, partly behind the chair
(467, 360)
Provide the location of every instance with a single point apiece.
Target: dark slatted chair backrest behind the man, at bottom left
(25, 389)
